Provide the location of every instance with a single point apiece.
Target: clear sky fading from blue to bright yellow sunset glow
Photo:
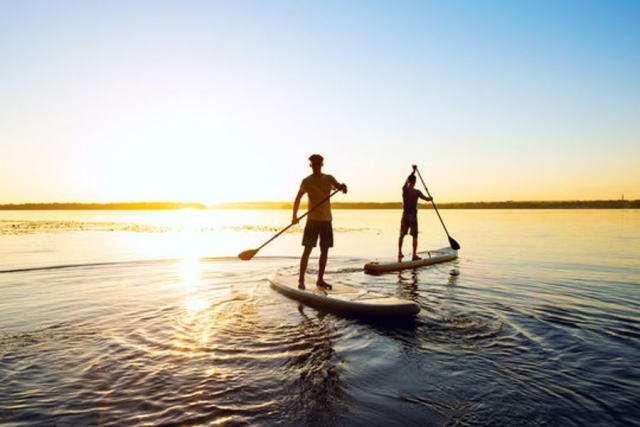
(220, 101)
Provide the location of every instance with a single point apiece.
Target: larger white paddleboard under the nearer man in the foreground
(342, 298)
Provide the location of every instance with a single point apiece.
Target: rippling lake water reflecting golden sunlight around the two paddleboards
(149, 319)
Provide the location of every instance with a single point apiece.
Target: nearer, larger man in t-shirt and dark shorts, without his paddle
(318, 187)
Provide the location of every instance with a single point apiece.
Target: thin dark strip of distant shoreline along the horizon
(567, 204)
